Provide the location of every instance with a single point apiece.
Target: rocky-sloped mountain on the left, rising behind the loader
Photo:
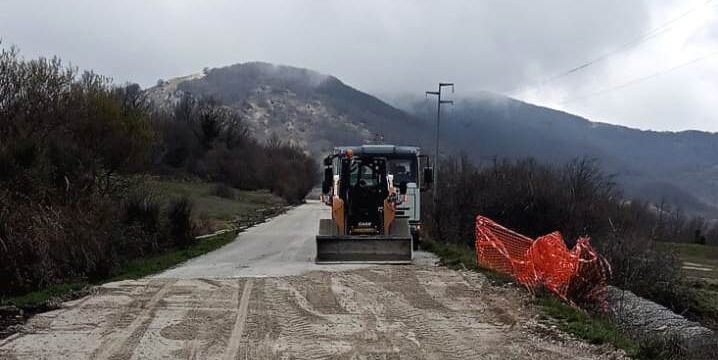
(303, 107)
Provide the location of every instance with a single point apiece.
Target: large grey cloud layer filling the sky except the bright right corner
(380, 46)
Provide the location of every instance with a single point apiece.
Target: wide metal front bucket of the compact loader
(394, 248)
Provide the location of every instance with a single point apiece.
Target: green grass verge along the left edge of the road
(209, 213)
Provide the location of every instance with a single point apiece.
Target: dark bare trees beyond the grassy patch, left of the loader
(212, 141)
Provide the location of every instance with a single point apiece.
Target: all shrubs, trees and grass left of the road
(96, 185)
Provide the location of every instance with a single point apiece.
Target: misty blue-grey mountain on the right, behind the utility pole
(678, 167)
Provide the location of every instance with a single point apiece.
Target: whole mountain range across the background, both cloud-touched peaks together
(317, 111)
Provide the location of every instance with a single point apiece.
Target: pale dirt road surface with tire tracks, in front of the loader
(261, 297)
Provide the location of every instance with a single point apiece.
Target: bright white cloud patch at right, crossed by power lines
(684, 98)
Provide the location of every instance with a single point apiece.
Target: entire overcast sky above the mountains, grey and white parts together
(400, 46)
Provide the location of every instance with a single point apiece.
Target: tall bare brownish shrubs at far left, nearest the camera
(69, 144)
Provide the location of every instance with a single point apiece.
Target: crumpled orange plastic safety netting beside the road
(577, 276)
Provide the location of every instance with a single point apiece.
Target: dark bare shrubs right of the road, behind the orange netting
(577, 199)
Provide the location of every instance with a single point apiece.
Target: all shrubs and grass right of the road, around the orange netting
(578, 199)
